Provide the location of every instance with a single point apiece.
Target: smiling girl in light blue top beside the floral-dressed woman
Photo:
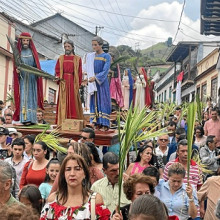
(53, 168)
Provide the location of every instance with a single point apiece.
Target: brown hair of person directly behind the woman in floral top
(82, 150)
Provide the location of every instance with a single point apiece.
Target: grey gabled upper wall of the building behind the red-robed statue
(58, 26)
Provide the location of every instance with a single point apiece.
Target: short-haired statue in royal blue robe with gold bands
(100, 101)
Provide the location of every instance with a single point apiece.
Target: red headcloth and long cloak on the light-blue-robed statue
(16, 115)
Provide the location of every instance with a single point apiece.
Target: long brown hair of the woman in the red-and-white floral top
(62, 184)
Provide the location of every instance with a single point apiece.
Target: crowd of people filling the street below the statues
(84, 183)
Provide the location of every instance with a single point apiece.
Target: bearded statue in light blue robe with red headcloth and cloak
(28, 88)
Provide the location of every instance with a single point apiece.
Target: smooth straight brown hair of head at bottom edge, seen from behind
(148, 207)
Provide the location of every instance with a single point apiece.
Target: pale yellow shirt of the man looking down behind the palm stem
(109, 193)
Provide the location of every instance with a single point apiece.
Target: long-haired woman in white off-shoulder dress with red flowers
(73, 199)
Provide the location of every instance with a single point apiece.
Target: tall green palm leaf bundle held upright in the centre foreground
(137, 126)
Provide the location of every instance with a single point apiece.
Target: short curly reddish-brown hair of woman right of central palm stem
(129, 185)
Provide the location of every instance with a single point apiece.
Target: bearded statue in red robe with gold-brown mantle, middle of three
(69, 77)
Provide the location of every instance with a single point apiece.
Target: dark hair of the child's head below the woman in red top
(32, 193)
